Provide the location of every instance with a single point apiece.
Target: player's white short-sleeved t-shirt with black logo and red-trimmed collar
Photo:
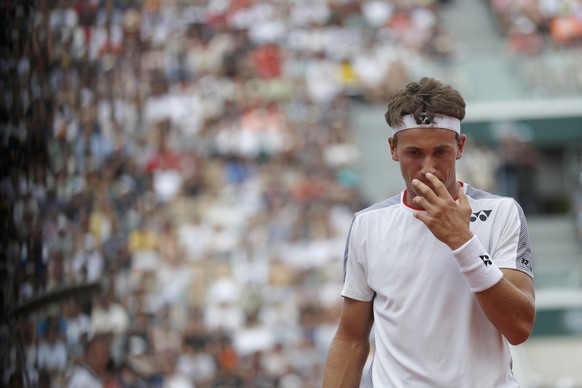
(429, 328)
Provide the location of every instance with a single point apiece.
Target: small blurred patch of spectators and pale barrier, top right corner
(534, 28)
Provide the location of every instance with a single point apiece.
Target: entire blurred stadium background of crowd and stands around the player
(178, 177)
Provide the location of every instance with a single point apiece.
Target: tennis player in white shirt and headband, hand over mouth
(438, 279)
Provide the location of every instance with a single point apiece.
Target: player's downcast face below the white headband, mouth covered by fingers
(422, 150)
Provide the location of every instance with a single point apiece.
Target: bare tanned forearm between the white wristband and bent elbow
(509, 309)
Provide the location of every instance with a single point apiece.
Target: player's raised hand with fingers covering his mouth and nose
(447, 220)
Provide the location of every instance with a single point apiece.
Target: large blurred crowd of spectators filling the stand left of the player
(178, 179)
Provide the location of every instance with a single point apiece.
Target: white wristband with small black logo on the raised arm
(476, 264)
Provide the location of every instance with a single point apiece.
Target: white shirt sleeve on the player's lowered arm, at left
(355, 268)
